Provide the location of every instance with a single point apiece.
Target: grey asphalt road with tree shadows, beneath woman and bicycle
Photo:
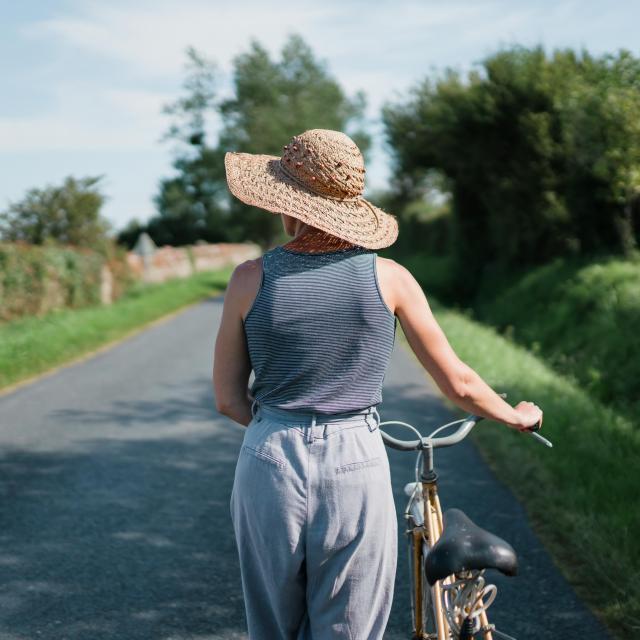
(115, 478)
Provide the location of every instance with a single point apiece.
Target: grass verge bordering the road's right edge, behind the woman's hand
(582, 495)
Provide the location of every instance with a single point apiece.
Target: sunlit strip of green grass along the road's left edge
(31, 346)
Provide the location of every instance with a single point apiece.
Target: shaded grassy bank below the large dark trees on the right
(581, 316)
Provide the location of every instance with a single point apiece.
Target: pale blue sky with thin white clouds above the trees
(83, 83)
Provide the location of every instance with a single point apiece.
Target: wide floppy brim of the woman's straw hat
(258, 180)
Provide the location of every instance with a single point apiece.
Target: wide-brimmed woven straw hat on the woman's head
(319, 179)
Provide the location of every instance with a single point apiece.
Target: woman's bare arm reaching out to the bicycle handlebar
(458, 381)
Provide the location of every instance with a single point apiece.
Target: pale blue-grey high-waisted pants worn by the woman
(315, 525)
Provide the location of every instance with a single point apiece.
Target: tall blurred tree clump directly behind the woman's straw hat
(272, 100)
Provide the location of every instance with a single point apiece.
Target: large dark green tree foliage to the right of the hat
(541, 154)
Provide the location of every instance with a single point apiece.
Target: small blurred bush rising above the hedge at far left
(69, 214)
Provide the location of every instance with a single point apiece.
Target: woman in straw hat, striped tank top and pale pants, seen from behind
(315, 319)
